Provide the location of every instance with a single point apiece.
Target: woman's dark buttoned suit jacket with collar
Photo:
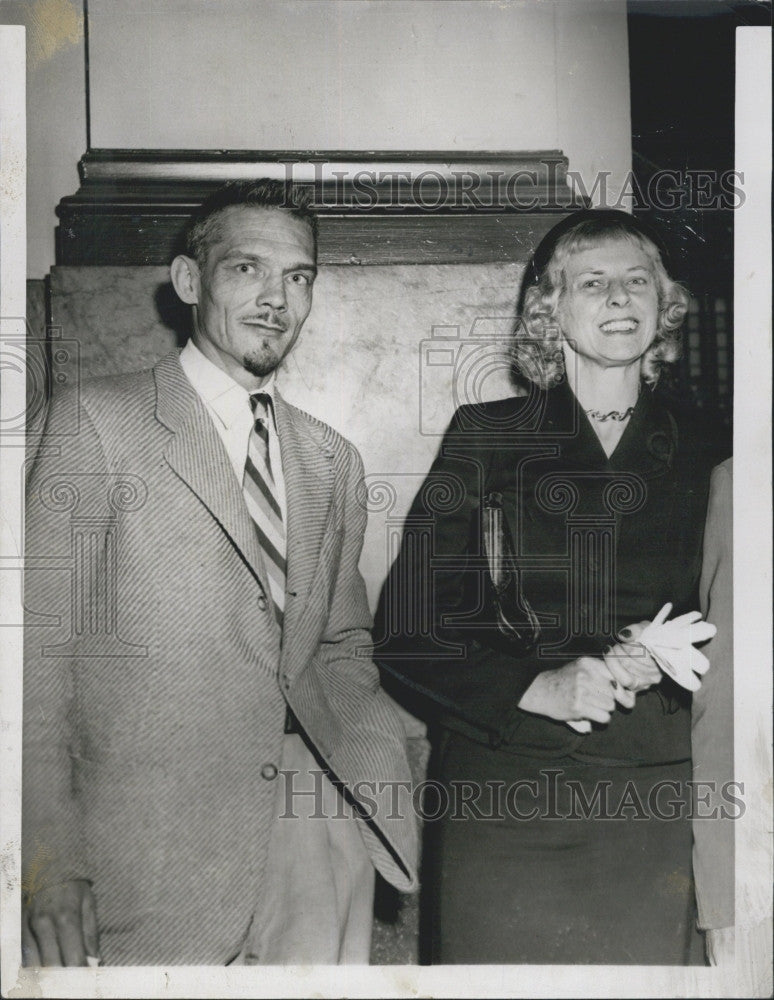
(601, 543)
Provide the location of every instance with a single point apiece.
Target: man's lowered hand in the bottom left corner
(59, 925)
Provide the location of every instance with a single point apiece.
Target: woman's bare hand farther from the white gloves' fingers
(582, 689)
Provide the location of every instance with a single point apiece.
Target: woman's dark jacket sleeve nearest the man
(427, 641)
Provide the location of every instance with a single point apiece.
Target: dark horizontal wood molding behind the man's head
(375, 207)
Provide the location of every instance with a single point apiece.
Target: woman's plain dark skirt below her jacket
(558, 863)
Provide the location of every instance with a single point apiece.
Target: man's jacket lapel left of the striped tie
(196, 453)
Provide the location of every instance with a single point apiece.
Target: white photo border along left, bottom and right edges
(753, 603)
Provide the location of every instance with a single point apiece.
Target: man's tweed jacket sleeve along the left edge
(68, 461)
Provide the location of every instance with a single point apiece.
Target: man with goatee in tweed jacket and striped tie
(198, 632)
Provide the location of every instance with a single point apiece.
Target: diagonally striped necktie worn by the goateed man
(260, 494)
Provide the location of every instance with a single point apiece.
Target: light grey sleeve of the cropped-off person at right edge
(712, 735)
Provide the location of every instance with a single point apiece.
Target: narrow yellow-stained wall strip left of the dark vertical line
(56, 114)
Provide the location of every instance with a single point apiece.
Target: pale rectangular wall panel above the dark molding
(363, 74)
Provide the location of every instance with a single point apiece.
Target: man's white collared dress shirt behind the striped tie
(228, 404)
